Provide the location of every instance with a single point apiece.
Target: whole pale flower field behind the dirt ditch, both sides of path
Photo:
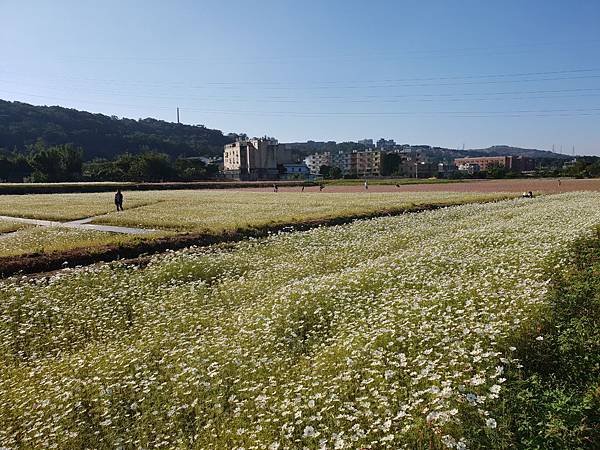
(206, 211)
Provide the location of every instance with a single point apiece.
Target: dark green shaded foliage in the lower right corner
(553, 401)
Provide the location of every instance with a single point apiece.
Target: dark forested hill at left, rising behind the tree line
(102, 136)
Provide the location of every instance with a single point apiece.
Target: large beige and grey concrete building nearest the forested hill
(251, 159)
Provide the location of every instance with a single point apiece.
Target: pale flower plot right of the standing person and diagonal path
(218, 211)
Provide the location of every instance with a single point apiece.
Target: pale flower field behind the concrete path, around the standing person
(207, 210)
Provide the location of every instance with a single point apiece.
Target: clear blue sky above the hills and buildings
(448, 73)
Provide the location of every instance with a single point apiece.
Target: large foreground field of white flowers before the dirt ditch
(387, 333)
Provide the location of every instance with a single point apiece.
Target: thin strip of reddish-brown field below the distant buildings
(536, 185)
